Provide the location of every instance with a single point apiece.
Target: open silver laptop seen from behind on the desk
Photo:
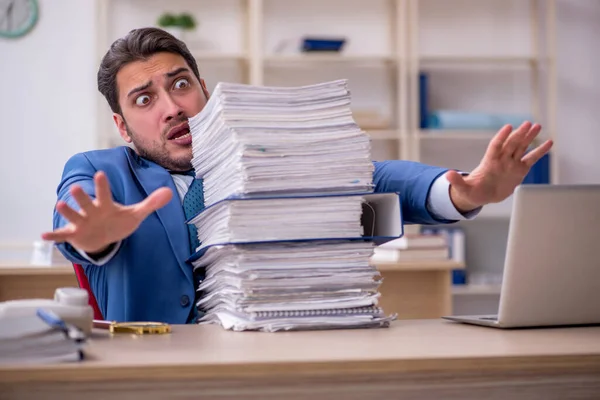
(552, 266)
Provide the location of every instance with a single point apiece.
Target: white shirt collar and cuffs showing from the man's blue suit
(438, 203)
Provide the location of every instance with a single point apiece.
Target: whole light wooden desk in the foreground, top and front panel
(430, 359)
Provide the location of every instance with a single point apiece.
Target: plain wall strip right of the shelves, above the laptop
(578, 66)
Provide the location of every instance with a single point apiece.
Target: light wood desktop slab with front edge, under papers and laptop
(408, 346)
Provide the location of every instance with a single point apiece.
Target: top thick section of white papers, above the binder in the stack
(252, 140)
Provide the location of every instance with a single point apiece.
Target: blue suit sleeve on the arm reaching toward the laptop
(413, 181)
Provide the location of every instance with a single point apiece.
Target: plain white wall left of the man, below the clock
(47, 109)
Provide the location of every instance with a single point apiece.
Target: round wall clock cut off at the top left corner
(17, 17)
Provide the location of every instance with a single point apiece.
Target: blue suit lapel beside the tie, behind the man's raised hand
(151, 177)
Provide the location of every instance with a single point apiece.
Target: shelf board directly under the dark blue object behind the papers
(328, 58)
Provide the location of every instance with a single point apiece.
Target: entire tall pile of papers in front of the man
(287, 176)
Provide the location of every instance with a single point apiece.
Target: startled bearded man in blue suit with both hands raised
(119, 211)
